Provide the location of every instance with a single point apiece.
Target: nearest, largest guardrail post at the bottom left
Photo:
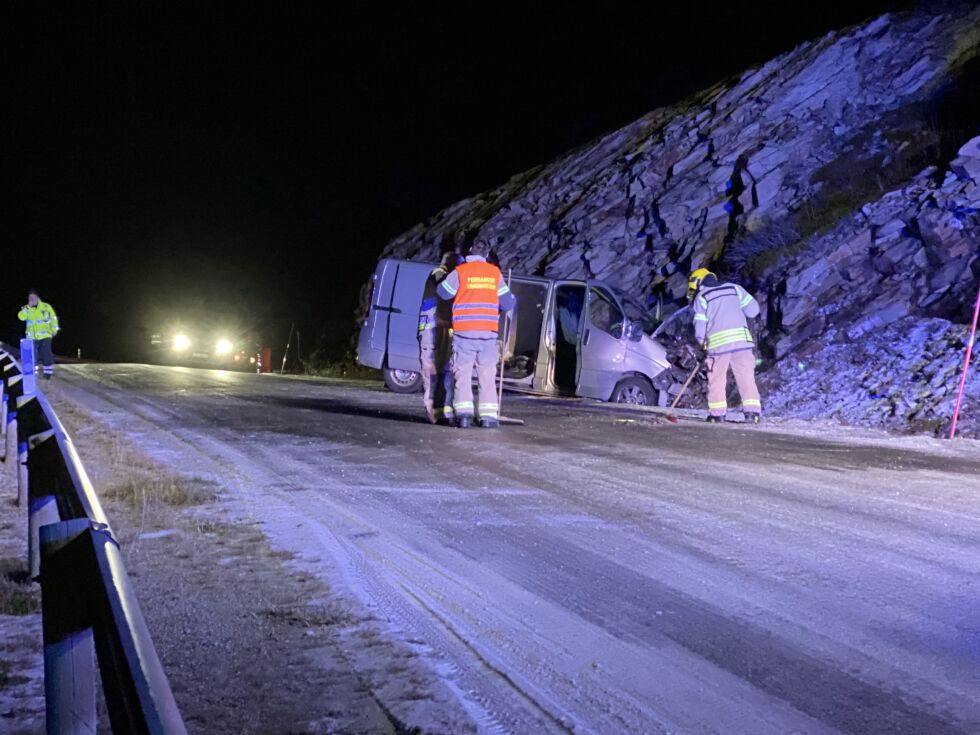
(69, 644)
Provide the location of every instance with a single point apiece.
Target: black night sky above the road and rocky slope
(248, 162)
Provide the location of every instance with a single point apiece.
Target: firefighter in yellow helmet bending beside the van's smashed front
(720, 326)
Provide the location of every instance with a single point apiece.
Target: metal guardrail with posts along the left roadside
(88, 606)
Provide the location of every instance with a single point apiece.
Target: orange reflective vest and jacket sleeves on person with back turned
(478, 292)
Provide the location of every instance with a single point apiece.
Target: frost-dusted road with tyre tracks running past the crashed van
(599, 571)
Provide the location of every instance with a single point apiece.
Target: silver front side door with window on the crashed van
(602, 343)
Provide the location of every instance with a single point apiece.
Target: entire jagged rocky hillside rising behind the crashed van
(840, 182)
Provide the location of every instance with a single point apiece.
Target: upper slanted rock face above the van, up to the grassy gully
(640, 205)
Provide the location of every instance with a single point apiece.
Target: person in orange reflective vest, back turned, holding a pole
(478, 293)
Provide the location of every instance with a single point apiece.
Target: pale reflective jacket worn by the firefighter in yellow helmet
(720, 318)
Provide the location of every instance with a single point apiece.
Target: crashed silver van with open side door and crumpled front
(570, 337)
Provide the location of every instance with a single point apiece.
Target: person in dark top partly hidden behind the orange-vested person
(435, 345)
